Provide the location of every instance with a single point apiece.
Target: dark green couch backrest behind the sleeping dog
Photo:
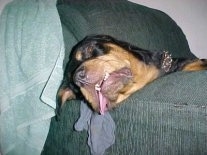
(145, 27)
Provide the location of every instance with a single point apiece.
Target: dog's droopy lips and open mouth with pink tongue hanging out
(102, 95)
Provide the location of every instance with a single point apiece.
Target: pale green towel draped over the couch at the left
(31, 42)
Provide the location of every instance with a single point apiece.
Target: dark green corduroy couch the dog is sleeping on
(166, 117)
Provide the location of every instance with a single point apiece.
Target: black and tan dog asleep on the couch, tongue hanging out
(105, 71)
